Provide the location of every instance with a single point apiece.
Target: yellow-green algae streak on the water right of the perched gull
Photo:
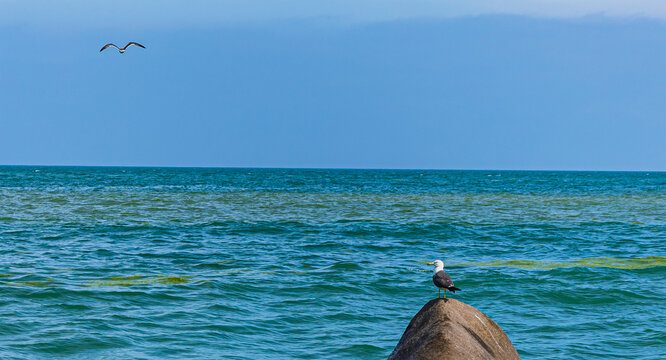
(603, 262)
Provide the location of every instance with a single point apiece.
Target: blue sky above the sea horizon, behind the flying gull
(395, 84)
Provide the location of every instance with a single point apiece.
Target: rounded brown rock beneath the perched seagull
(449, 329)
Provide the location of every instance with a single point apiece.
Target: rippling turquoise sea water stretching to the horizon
(154, 263)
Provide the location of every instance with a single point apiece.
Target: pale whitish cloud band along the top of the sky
(159, 13)
